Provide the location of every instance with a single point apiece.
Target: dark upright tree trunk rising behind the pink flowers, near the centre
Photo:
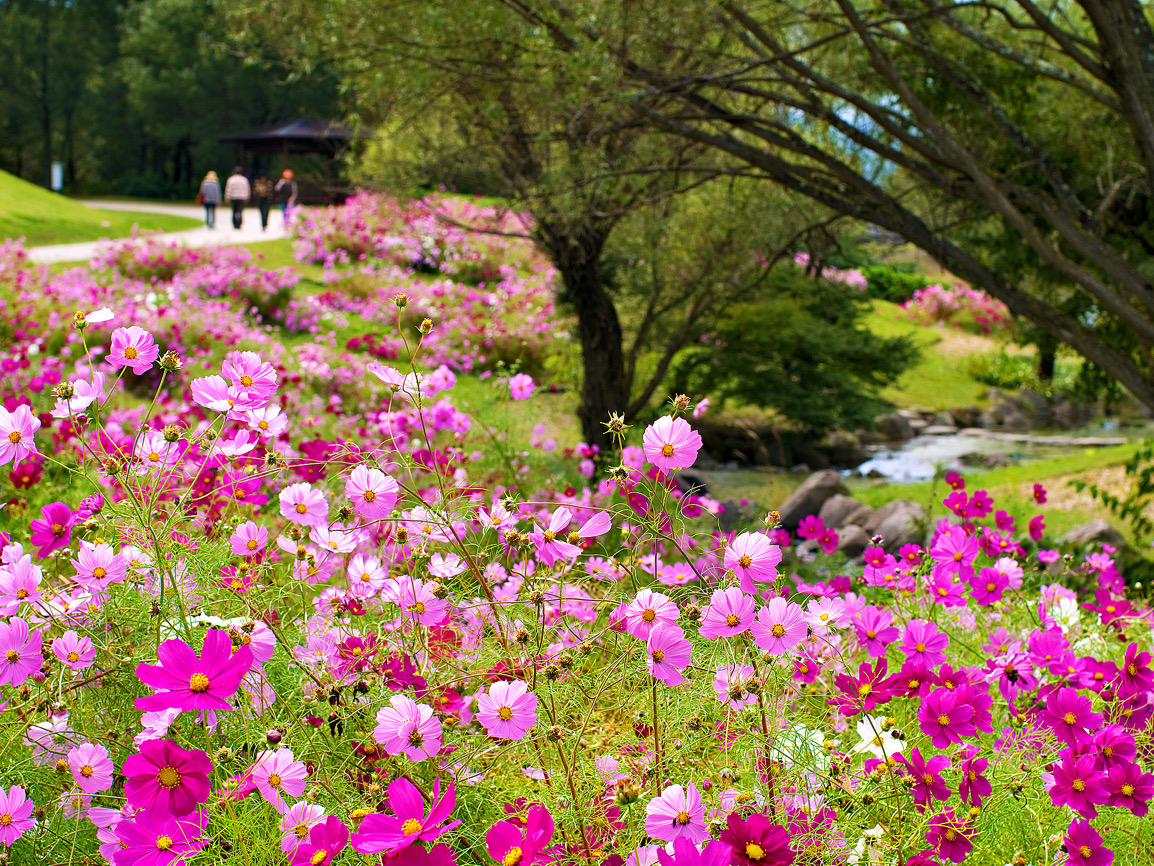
(605, 390)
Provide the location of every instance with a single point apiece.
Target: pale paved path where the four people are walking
(223, 235)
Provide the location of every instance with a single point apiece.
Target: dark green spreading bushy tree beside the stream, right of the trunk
(801, 349)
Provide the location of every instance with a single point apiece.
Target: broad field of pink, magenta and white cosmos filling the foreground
(275, 598)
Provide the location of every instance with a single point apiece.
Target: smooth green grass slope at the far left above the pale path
(43, 218)
